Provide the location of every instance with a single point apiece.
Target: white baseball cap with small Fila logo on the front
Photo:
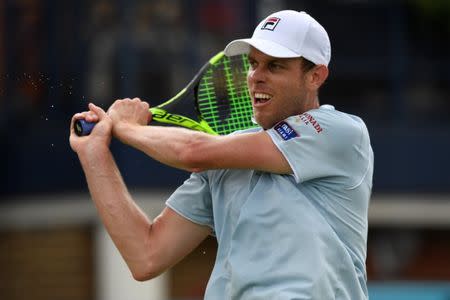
(287, 33)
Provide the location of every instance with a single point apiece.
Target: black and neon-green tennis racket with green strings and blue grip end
(216, 101)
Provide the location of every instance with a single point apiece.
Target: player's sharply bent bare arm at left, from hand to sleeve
(148, 248)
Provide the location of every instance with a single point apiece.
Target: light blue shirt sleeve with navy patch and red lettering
(322, 144)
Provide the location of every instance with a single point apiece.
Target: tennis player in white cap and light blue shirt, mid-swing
(287, 202)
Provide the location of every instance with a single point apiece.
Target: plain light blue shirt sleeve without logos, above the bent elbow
(193, 201)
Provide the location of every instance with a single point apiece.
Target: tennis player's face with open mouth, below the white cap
(277, 87)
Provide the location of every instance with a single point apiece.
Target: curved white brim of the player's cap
(270, 48)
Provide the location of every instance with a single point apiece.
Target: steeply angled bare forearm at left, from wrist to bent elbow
(127, 225)
